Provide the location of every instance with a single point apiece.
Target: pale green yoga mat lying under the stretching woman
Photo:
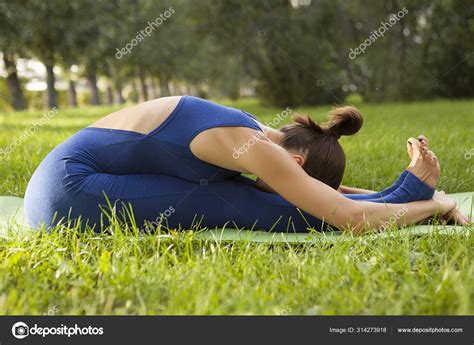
(11, 216)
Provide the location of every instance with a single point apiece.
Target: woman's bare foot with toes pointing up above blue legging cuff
(424, 163)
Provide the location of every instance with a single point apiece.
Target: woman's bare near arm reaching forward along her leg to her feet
(275, 166)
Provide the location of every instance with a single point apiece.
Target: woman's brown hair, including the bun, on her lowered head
(324, 157)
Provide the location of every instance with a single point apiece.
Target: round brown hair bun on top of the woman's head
(346, 120)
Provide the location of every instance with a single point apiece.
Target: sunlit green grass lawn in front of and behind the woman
(128, 273)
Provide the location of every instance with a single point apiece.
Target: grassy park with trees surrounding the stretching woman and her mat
(407, 65)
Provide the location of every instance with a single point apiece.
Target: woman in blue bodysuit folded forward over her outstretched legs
(173, 160)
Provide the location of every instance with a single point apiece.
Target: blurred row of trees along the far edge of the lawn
(288, 52)
